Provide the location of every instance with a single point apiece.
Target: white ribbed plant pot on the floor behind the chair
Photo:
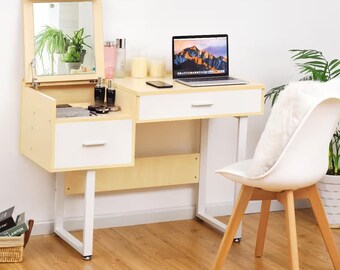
(329, 190)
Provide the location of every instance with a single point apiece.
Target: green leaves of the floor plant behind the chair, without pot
(314, 66)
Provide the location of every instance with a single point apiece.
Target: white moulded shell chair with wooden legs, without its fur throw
(302, 163)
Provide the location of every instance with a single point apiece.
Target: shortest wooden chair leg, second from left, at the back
(262, 229)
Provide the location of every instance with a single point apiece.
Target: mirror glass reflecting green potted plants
(63, 38)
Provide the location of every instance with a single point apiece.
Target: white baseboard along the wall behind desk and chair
(152, 216)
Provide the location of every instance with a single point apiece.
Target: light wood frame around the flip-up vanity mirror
(28, 21)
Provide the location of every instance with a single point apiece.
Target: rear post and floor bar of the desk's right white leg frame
(201, 207)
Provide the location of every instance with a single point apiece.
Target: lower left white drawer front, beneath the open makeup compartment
(90, 144)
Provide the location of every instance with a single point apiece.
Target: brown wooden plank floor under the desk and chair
(181, 245)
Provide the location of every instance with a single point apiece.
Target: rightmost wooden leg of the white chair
(325, 230)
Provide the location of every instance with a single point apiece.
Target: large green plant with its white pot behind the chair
(314, 66)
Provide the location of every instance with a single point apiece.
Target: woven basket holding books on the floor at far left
(11, 249)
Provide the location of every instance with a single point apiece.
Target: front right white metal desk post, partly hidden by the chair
(242, 128)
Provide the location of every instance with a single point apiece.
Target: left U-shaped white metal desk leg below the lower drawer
(85, 247)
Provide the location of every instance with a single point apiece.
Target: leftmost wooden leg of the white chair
(234, 221)
